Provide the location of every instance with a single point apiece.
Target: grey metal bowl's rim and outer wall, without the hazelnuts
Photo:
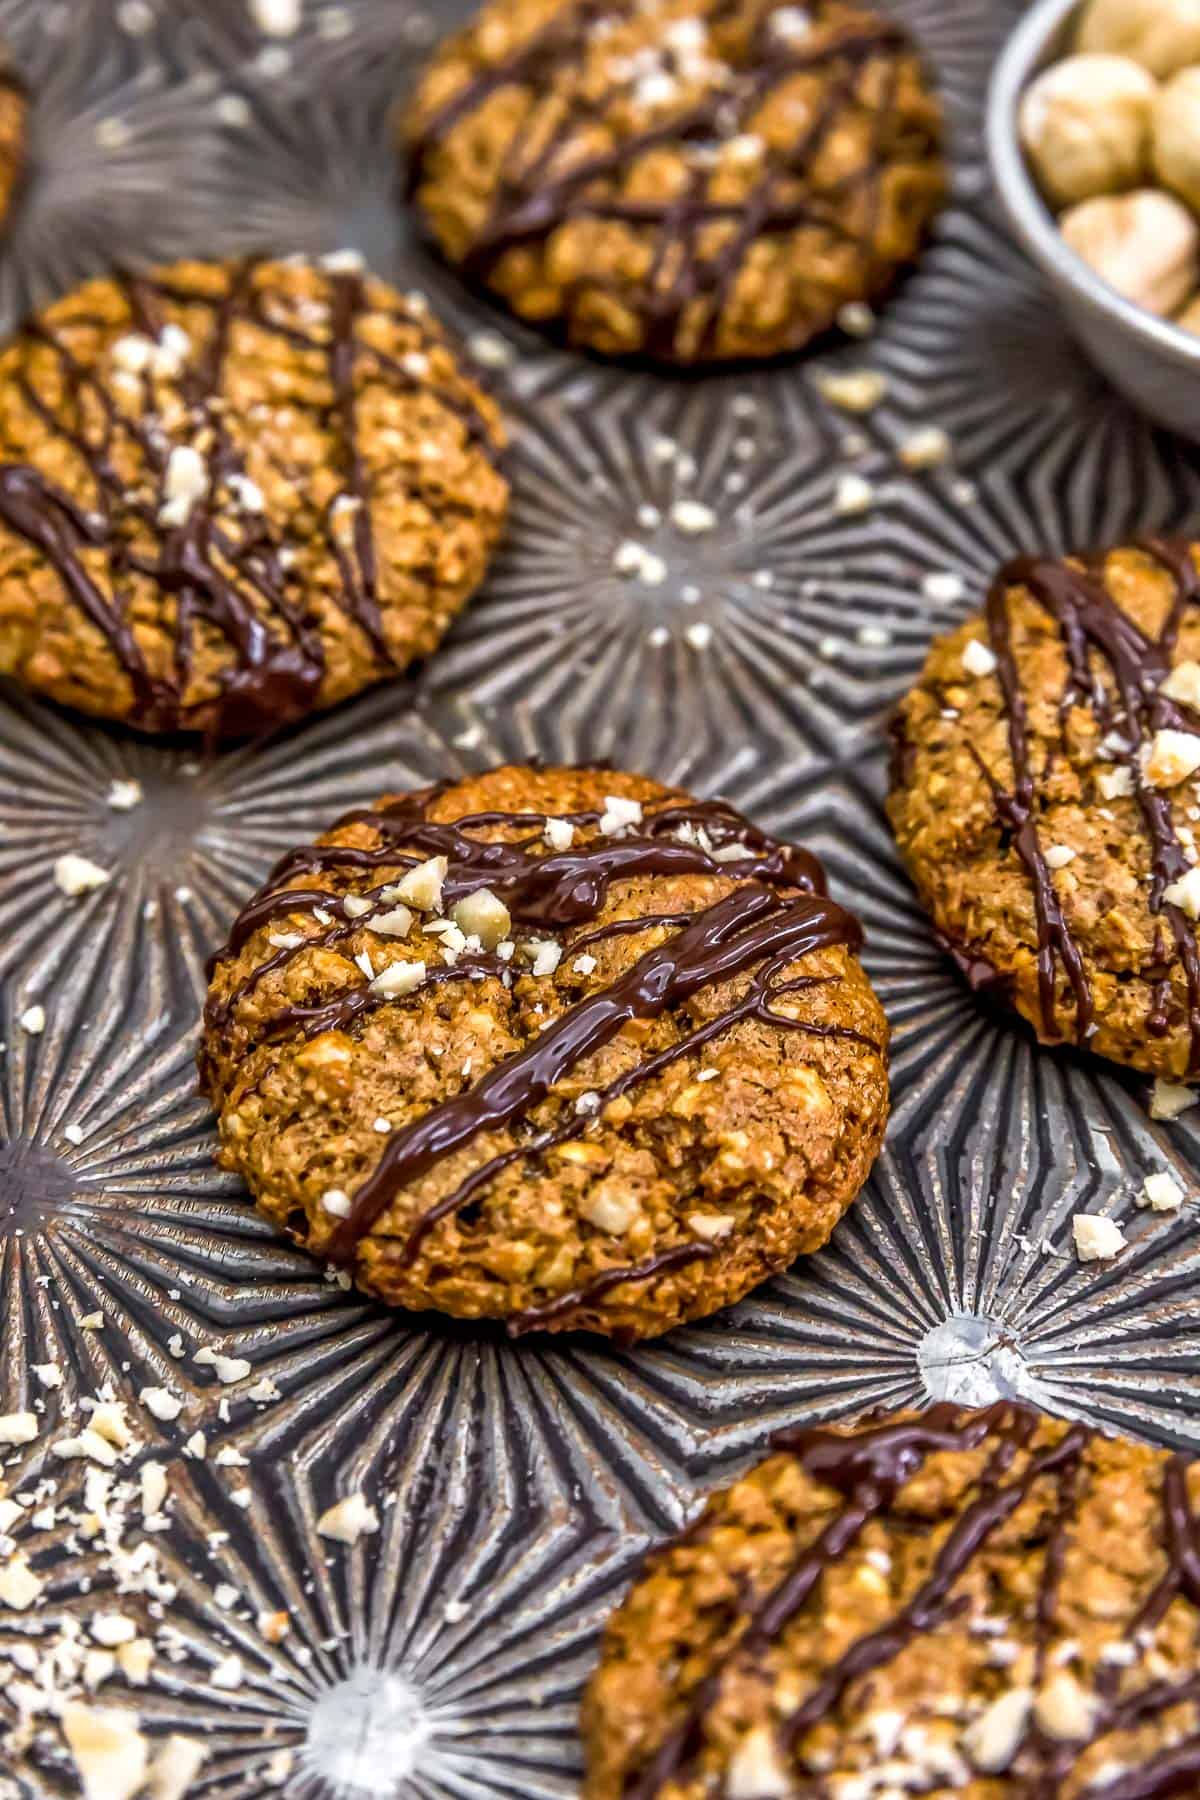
(1151, 361)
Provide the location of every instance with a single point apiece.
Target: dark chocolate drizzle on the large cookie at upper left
(226, 566)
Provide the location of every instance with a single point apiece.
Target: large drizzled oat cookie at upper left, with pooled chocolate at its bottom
(237, 492)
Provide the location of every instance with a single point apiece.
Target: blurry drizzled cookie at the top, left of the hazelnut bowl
(690, 181)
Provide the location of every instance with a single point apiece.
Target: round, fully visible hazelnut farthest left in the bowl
(1086, 125)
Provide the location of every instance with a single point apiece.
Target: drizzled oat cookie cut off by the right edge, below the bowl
(1046, 800)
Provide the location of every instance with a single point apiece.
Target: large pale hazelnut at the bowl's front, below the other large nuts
(1145, 246)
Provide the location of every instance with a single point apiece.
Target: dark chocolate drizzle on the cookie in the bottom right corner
(868, 1468)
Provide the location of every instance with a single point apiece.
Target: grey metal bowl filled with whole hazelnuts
(1095, 139)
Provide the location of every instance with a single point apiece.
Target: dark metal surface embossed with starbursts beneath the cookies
(517, 1486)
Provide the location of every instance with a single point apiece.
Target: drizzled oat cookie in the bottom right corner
(978, 1605)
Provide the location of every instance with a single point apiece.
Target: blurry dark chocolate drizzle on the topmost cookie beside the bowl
(535, 197)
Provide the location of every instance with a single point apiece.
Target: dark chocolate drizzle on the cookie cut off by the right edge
(1133, 706)
